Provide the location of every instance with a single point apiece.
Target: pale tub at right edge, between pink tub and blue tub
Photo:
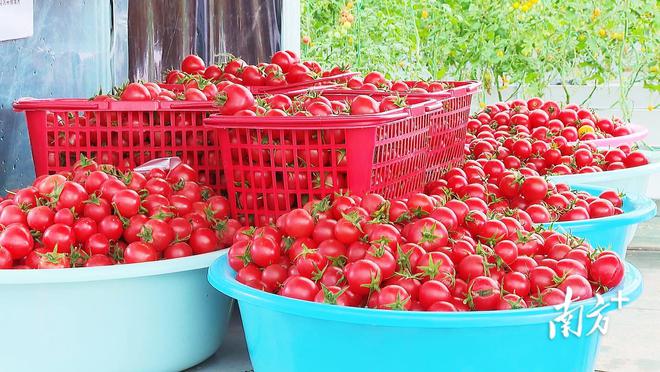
(630, 181)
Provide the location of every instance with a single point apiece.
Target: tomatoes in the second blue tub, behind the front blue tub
(490, 188)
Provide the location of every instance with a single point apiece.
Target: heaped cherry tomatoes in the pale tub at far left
(96, 215)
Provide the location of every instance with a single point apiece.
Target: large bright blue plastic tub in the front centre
(285, 334)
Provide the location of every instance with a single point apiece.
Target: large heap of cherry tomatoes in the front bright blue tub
(424, 253)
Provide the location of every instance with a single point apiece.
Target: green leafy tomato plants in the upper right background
(529, 44)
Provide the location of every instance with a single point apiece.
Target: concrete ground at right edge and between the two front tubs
(631, 343)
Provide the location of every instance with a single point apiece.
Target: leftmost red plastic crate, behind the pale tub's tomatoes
(125, 134)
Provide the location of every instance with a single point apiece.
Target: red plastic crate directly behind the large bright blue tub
(276, 164)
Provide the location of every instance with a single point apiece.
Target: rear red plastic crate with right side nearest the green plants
(448, 121)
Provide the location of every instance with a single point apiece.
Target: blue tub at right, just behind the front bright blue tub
(612, 233)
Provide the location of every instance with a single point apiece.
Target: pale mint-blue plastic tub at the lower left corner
(155, 316)
